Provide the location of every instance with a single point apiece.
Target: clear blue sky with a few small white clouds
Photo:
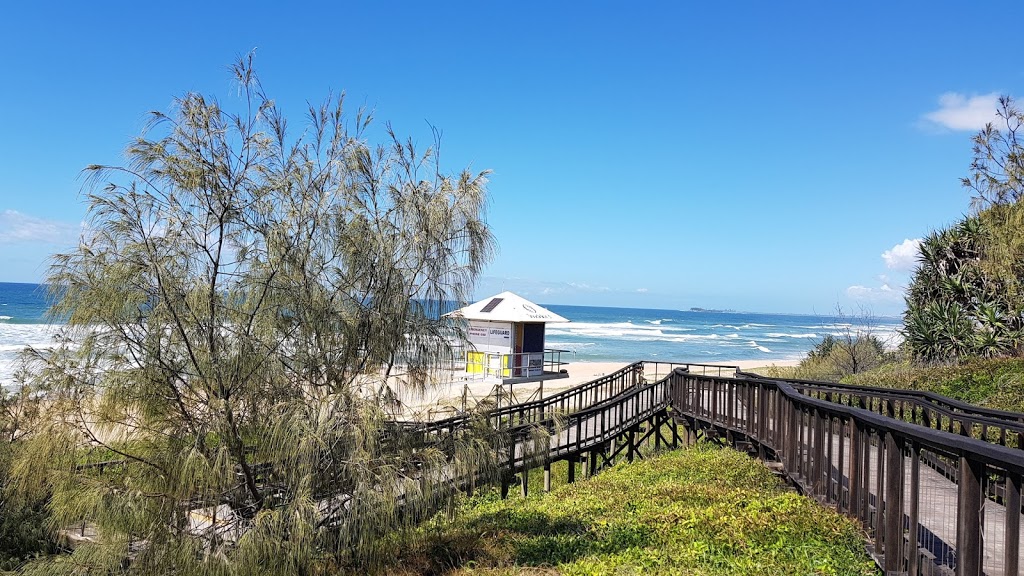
(755, 156)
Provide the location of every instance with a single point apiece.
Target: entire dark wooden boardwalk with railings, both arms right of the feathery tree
(901, 463)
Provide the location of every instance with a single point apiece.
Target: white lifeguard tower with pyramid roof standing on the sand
(506, 341)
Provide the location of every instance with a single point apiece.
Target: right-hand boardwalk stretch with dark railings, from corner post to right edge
(935, 492)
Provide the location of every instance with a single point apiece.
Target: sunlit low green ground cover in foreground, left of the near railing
(701, 511)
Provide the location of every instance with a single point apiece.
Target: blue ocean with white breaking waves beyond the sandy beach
(596, 335)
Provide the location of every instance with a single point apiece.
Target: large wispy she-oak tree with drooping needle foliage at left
(233, 316)
